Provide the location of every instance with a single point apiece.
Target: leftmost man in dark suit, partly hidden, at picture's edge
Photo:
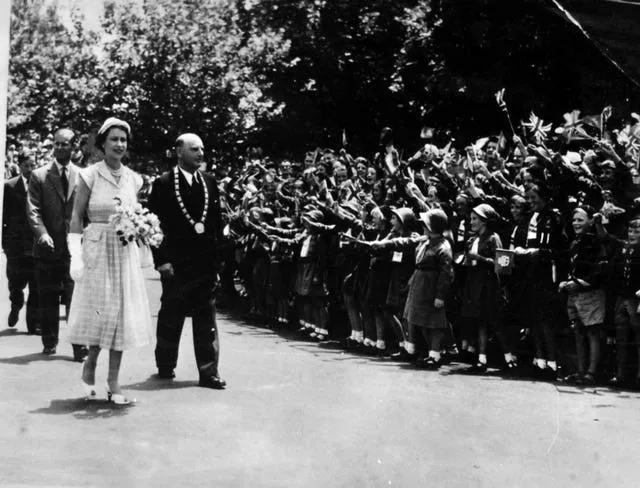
(17, 244)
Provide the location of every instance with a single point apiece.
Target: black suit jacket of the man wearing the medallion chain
(182, 246)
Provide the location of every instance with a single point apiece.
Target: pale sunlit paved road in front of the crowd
(297, 415)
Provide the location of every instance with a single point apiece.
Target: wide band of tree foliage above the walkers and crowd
(289, 75)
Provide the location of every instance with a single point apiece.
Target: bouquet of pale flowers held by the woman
(133, 223)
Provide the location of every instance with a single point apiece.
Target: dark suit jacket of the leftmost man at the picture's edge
(17, 238)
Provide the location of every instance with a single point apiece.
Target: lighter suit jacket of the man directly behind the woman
(49, 210)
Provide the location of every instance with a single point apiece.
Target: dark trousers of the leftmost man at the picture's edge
(20, 274)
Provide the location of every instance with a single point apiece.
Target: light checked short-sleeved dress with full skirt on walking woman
(109, 308)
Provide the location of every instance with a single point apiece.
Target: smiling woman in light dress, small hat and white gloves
(109, 308)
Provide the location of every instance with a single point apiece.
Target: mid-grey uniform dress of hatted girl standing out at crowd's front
(431, 279)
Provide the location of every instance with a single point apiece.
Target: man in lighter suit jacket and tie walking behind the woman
(52, 191)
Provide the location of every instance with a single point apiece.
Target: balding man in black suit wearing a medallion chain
(187, 204)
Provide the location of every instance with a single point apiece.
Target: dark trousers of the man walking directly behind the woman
(53, 282)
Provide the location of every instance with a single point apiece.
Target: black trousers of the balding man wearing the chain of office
(185, 295)
